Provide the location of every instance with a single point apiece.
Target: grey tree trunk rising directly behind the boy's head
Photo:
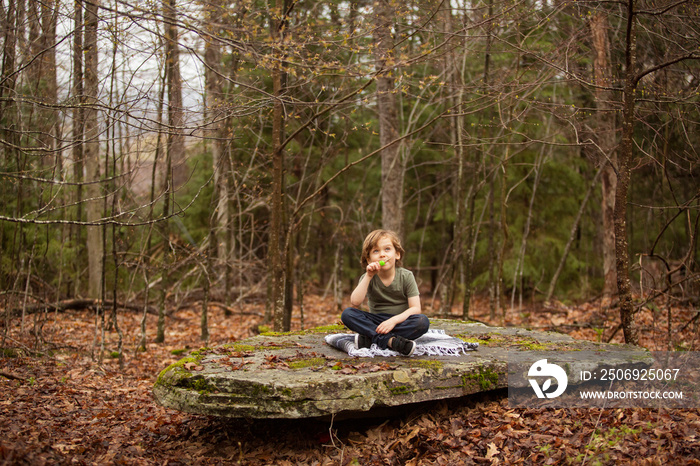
(392, 165)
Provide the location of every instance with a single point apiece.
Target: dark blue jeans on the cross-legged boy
(365, 323)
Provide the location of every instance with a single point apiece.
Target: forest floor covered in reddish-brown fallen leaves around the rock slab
(61, 405)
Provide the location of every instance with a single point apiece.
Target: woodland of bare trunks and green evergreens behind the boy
(155, 151)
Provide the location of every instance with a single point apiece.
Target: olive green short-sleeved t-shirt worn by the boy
(392, 299)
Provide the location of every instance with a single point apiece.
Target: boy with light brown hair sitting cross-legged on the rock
(394, 319)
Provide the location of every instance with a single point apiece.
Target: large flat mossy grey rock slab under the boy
(297, 375)
